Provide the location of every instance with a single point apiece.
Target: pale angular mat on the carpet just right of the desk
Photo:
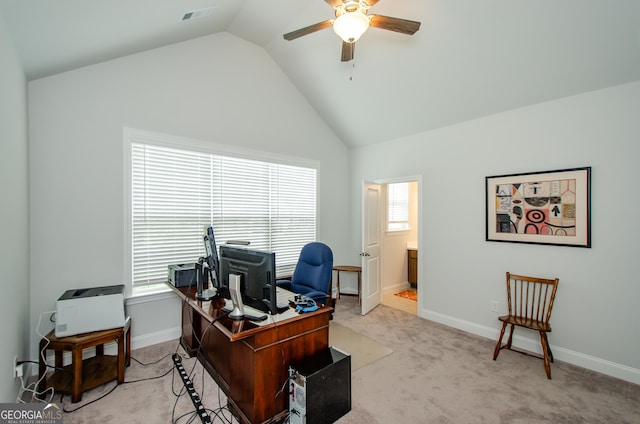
(363, 350)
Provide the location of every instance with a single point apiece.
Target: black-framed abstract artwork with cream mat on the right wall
(552, 207)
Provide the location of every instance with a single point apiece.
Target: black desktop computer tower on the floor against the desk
(320, 388)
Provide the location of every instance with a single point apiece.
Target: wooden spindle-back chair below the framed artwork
(529, 303)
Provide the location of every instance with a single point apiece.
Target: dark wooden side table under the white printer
(82, 375)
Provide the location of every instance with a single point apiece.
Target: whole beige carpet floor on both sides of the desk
(435, 374)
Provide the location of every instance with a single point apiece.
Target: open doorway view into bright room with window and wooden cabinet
(399, 258)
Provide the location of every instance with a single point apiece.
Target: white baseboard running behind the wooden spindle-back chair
(589, 362)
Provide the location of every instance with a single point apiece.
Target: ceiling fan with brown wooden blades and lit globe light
(352, 21)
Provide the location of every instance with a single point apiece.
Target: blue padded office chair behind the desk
(313, 272)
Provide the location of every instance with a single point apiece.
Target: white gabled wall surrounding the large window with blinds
(217, 88)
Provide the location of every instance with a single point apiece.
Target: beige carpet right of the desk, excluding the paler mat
(437, 374)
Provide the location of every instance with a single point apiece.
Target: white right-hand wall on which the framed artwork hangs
(596, 313)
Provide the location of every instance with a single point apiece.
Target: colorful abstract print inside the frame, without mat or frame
(545, 208)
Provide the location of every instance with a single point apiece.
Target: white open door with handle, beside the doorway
(371, 249)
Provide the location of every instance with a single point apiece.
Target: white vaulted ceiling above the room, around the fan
(470, 58)
